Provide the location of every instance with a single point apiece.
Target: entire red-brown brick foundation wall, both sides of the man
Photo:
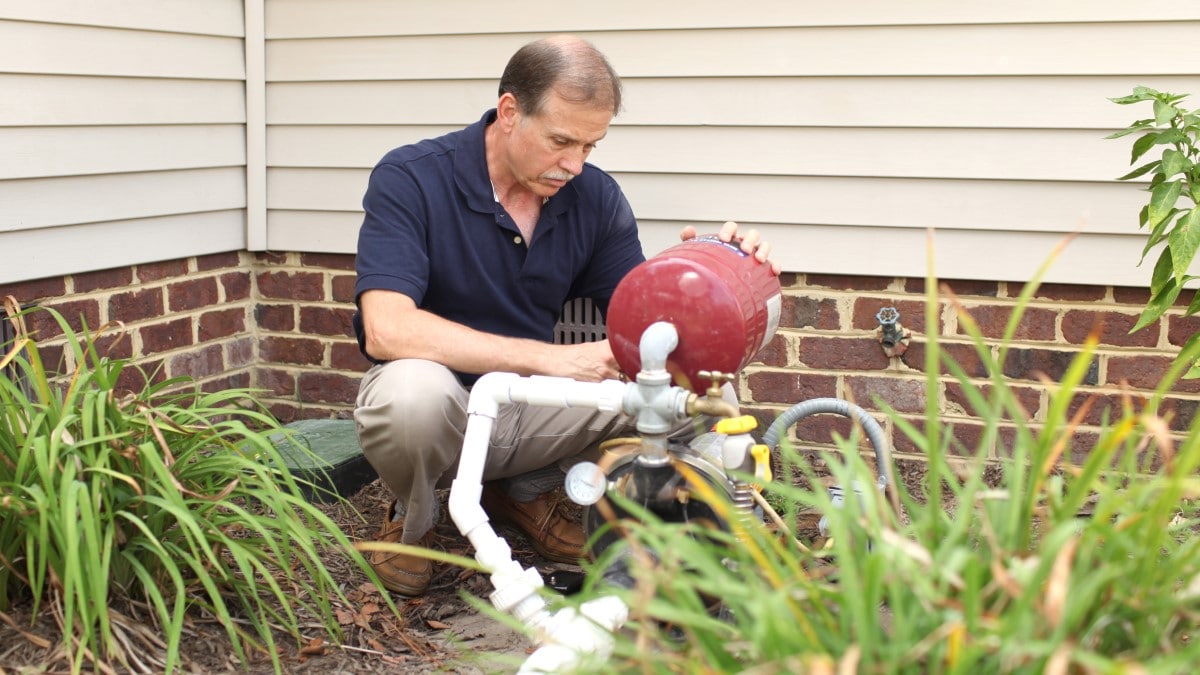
(281, 322)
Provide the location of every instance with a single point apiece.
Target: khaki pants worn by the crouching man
(411, 420)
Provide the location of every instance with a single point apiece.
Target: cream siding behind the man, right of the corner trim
(848, 134)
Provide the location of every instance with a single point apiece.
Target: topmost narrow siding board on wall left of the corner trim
(201, 17)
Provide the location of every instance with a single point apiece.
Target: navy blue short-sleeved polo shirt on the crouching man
(435, 232)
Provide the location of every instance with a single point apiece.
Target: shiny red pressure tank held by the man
(724, 304)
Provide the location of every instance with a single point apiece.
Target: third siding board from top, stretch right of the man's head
(999, 103)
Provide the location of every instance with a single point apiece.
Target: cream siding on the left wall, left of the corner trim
(123, 134)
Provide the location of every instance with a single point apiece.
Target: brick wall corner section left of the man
(279, 322)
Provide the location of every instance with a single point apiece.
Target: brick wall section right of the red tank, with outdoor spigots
(829, 345)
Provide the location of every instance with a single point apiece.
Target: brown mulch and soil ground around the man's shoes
(440, 632)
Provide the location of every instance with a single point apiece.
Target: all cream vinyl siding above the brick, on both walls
(848, 134)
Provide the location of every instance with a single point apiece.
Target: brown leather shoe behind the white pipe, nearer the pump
(551, 534)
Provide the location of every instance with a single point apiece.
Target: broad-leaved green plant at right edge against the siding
(1175, 181)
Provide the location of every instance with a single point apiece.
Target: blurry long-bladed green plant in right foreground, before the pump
(1052, 568)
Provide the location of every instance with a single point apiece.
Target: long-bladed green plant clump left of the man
(119, 510)
